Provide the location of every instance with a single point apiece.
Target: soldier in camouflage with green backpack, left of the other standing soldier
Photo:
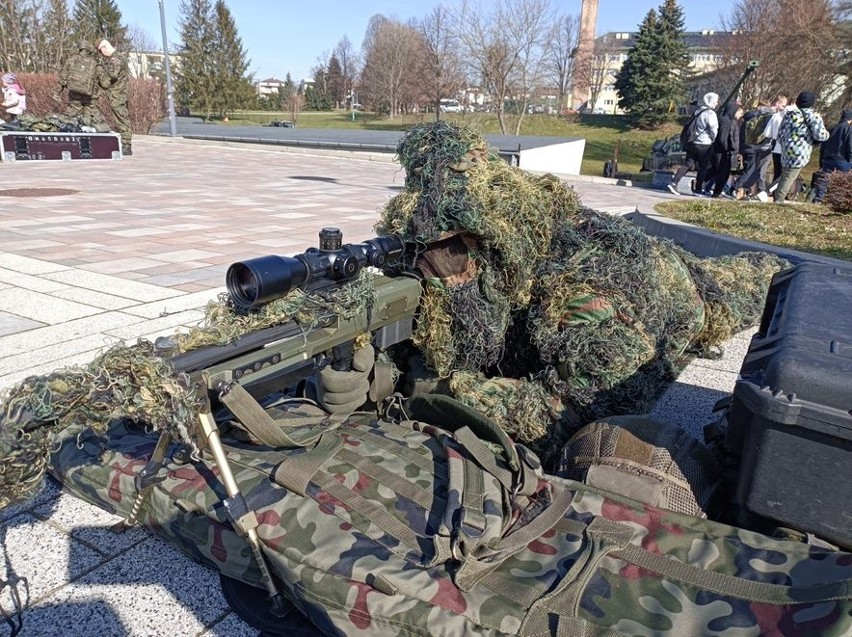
(79, 77)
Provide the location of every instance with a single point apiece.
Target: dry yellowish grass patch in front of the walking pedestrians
(806, 227)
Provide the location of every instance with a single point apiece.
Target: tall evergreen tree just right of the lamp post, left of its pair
(195, 86)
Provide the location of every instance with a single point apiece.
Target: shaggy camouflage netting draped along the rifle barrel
(136, 382)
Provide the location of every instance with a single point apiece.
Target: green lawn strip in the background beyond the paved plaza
(601, 132)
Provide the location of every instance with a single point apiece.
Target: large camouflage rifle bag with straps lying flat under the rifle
(382, 528)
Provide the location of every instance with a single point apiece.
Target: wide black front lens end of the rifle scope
(257, 281)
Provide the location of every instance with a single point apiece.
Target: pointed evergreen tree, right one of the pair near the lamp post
(233, 89)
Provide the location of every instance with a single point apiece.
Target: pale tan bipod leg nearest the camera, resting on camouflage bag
(243, 519)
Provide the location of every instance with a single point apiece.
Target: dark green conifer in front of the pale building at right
(650, 82)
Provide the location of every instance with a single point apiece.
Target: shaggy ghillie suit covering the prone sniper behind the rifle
(544, 314)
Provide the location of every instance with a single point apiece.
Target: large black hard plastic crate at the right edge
(790, 419)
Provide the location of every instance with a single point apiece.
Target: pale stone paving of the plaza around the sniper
(136, 250)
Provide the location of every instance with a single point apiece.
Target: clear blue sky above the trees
(284, 36)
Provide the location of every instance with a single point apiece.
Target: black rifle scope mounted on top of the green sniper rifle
(257, 281)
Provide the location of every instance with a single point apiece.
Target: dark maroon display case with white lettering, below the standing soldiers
(30, 145)
